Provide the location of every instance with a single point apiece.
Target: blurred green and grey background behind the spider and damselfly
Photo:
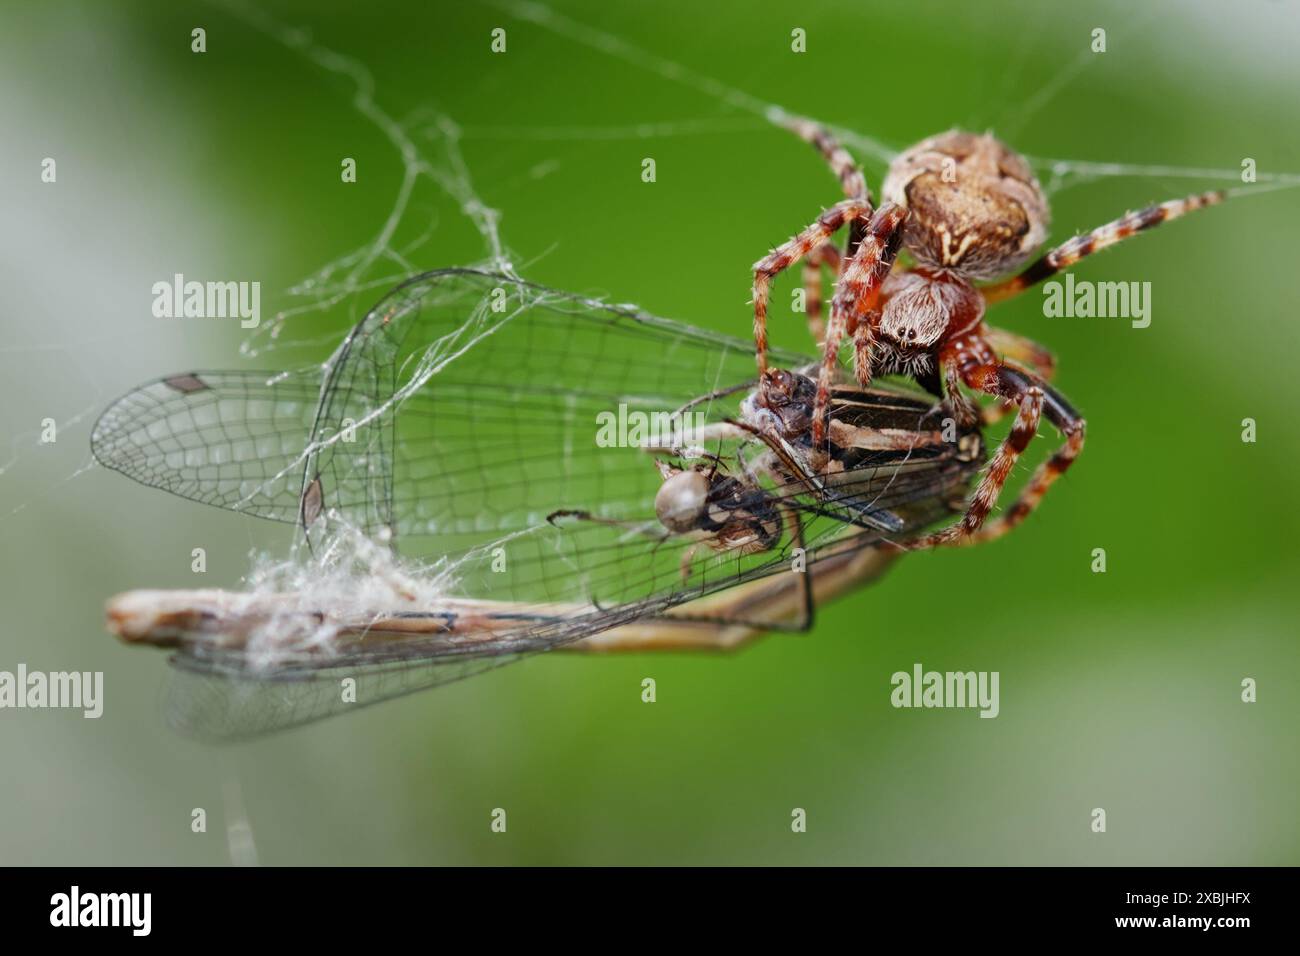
(1119, 690)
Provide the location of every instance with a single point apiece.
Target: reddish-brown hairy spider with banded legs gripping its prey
(968, 210)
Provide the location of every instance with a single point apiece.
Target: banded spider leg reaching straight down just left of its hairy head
(855, 305)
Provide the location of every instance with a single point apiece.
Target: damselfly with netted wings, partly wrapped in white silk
(554, 471)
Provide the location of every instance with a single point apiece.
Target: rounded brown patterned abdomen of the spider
(977, 207)
